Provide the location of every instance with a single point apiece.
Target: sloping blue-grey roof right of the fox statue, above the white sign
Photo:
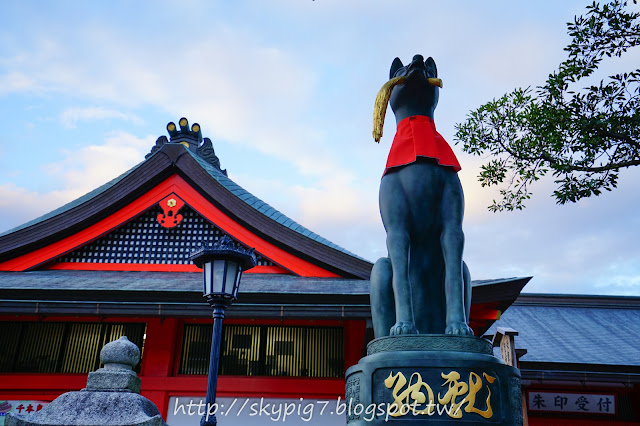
(575, 330)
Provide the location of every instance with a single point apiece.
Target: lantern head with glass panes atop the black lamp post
(223, 263)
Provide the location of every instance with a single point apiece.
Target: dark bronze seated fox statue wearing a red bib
(423, 286)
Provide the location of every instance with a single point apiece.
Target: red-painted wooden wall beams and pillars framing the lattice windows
(160, 364)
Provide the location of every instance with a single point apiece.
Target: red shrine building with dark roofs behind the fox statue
(117, 262)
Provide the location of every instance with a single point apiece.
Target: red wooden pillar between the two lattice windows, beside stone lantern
(161, 348)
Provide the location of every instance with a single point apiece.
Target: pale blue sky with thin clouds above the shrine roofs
(285, 91)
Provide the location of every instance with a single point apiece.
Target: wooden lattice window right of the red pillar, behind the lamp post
(261, 350)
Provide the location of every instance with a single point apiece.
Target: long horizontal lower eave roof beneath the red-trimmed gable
(60, 292)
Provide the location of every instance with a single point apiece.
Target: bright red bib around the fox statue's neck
(416, 136)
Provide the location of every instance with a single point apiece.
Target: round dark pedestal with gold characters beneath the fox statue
(432, 379)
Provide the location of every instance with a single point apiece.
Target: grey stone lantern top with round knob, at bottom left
(112, 396)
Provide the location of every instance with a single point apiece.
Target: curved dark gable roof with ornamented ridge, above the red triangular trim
(193, 160)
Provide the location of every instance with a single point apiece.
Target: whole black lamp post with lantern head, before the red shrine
(222, 264)
